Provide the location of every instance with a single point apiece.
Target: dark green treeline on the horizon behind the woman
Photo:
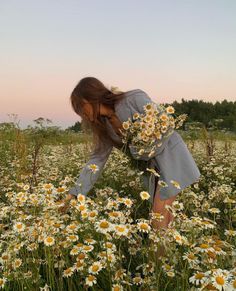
(221, 115)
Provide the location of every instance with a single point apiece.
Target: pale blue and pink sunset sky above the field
(171, 49)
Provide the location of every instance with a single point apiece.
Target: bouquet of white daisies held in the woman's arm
(147, 132)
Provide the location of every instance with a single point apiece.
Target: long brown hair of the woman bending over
(96, 93)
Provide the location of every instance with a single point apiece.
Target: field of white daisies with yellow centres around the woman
(105, 241)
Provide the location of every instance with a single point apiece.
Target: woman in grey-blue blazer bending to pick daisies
(104, 111)
